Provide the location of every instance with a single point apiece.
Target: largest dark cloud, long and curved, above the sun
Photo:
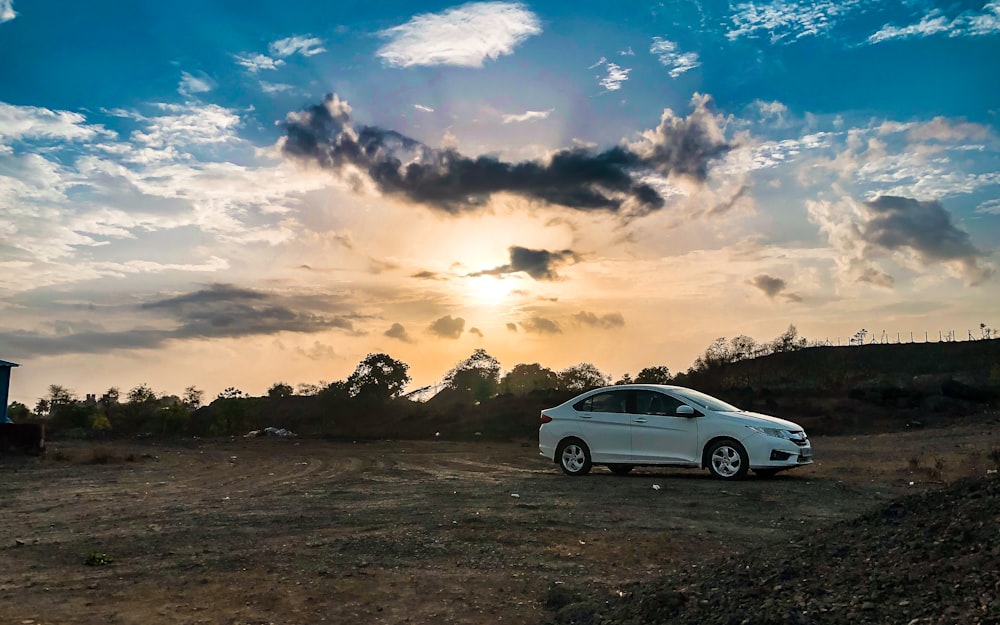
(578, 178)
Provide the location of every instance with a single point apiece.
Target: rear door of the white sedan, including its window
(606, 425)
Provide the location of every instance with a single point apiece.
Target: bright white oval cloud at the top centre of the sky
(466, 35)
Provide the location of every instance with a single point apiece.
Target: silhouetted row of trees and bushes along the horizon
(378, 378)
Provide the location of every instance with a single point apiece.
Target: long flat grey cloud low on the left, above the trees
(217, 311)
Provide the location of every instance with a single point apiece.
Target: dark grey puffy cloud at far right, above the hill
(924, 228)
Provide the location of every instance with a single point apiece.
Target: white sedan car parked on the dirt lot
(653, 424)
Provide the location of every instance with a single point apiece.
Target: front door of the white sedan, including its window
(659, 435)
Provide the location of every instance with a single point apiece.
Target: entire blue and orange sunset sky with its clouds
(232, 194)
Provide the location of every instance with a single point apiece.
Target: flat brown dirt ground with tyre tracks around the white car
(264, 530)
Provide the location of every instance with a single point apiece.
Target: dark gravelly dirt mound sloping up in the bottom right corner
(930, 558)
